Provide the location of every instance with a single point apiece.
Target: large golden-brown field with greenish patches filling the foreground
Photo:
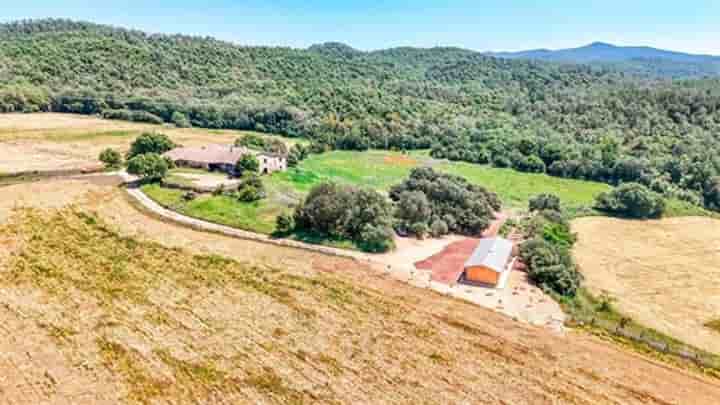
(101, 304)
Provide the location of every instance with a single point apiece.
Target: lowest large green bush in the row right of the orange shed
(551, 267)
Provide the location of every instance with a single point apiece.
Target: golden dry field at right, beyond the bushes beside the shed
(664, 274)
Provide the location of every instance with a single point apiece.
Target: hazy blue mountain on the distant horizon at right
(632, 59)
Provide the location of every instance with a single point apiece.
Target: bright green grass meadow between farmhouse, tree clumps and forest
(378, 170)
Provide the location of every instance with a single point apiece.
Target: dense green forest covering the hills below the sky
(581, 121)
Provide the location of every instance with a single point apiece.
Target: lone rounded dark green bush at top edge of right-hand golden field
(632, 200)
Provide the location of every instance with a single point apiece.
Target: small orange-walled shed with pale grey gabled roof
(489, 262)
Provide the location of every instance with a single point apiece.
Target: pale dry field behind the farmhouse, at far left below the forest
(50, 141)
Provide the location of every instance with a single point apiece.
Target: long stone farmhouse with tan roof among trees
(224, 157)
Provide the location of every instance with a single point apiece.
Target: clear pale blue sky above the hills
(689, 25)
